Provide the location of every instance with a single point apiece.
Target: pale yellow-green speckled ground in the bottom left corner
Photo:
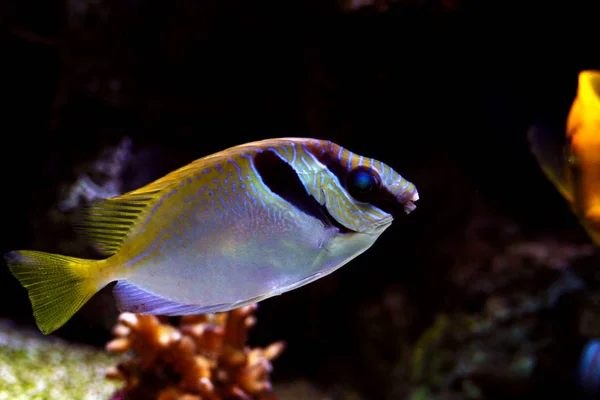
(33, 366)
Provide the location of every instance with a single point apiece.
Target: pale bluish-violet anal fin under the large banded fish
(133, 299)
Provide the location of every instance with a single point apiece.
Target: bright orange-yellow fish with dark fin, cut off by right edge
(573, 165)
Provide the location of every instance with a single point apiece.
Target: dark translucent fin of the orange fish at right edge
(548, 150)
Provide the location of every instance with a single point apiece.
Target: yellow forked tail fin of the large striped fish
(58, 285)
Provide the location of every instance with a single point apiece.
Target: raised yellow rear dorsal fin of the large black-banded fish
(108, 222)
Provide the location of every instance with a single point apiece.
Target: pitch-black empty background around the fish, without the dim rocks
(444, 93)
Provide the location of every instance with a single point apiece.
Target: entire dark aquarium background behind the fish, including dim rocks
(489, 290)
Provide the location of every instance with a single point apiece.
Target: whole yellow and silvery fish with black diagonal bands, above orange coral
(227, 230)
